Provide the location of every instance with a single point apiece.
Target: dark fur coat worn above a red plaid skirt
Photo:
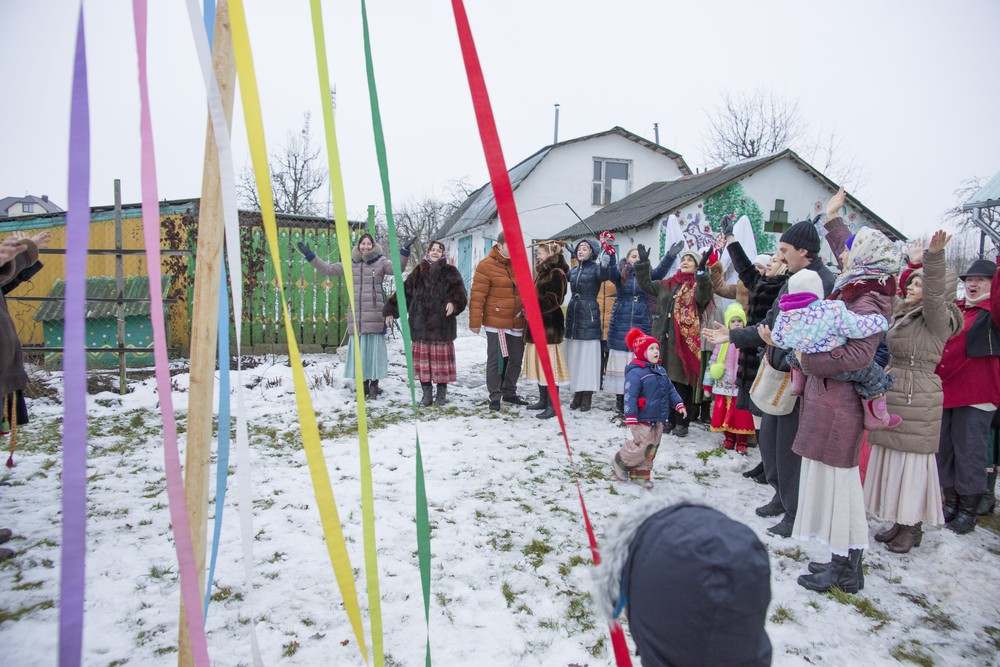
(428, 289)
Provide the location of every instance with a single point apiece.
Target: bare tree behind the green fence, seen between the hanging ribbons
(297, 175)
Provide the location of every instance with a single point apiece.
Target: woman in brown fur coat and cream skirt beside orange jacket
(550, 286)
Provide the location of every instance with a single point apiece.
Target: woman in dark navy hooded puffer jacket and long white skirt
(583, 322)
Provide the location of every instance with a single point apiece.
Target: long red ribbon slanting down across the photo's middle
(507, 210)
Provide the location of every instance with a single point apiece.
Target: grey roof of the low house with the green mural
(652, 202)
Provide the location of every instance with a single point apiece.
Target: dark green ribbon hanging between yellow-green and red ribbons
(422, 518)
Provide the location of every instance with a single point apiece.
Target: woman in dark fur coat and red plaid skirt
(435, 295)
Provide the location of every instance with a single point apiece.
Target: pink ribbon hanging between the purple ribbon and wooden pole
(171, 455)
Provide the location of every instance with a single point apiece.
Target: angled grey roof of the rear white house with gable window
(481, 207)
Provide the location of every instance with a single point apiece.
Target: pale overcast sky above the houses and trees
(909, 88)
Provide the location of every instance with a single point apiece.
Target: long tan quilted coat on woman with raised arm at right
(916, 338)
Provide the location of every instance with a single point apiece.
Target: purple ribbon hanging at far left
(74, 473)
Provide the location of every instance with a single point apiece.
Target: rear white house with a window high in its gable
(558, 186)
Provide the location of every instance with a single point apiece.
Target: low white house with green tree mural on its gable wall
(774, 192)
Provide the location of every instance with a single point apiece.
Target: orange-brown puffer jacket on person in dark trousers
(495, 301)
